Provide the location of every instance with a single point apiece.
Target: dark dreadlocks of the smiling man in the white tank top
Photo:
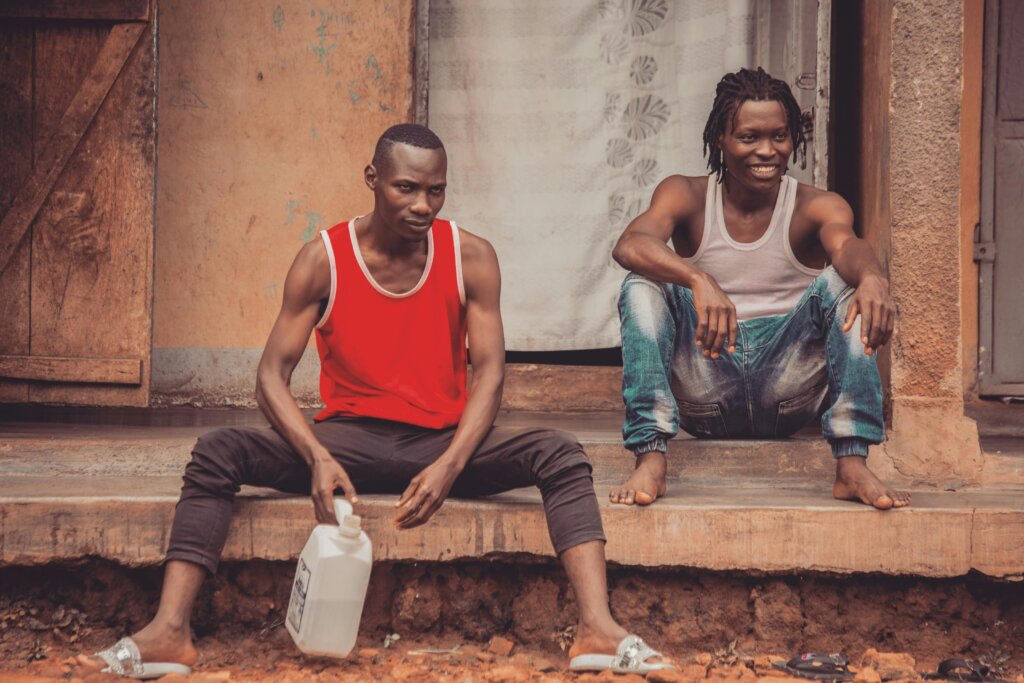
(734, 91)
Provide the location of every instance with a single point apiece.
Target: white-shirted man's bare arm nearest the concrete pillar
(855, 260)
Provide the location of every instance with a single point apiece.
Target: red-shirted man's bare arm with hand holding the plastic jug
(307, 286)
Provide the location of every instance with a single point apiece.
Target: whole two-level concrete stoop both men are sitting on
(75, 491)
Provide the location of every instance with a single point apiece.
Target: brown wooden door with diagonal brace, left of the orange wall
(77, 182)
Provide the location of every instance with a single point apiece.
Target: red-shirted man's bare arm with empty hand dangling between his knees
(429, 490)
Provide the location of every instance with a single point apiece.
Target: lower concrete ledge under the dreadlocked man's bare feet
(946, 535)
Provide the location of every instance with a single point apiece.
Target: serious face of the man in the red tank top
(409, 190)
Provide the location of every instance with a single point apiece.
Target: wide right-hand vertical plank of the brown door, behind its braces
(93, 239)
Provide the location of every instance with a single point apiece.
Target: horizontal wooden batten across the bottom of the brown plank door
(51, 369)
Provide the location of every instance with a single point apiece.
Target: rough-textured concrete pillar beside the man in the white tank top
(930, 441)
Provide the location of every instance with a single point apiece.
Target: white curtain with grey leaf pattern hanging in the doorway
(560, 118)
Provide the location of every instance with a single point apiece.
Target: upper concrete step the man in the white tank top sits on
(99, 450)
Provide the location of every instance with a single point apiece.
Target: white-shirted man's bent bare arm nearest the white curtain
(644, 249)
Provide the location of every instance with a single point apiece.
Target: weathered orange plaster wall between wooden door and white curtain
(268, 113)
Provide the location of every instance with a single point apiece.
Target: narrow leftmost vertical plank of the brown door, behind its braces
(16, 151)
